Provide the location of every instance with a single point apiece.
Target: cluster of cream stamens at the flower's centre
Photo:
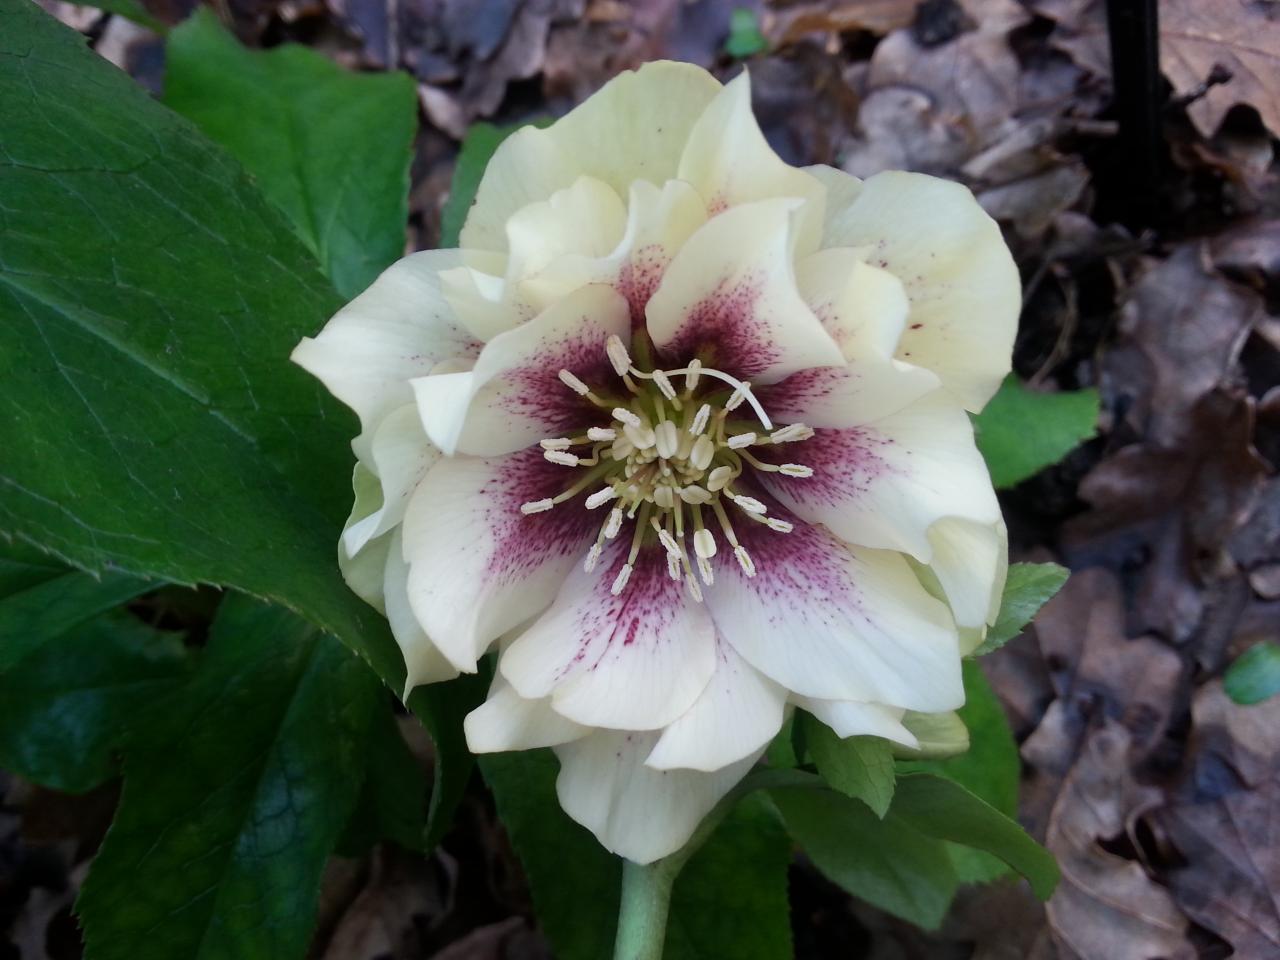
(669, 458)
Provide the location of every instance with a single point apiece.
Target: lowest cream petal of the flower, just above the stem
(636, 811)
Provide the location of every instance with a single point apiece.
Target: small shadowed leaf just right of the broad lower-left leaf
(392, 803)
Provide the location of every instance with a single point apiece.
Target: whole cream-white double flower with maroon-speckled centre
(685, 428)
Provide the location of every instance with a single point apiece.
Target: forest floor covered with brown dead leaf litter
(1153, 278)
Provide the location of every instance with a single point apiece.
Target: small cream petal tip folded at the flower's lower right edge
(971, 561)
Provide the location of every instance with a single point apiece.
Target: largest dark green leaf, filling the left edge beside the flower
(150, 419)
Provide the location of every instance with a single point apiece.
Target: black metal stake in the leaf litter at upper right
(1135, 33)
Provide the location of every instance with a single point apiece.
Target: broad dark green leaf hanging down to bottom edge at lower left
(236, 792)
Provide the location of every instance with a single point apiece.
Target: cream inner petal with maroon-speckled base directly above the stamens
(730, 298)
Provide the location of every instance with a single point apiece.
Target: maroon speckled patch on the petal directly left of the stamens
(525, 542)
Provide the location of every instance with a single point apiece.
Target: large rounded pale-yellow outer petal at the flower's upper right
(959, 276)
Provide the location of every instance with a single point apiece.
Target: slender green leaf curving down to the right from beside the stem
(941, 808)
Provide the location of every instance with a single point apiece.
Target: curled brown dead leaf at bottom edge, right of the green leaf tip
(1107, 907)
